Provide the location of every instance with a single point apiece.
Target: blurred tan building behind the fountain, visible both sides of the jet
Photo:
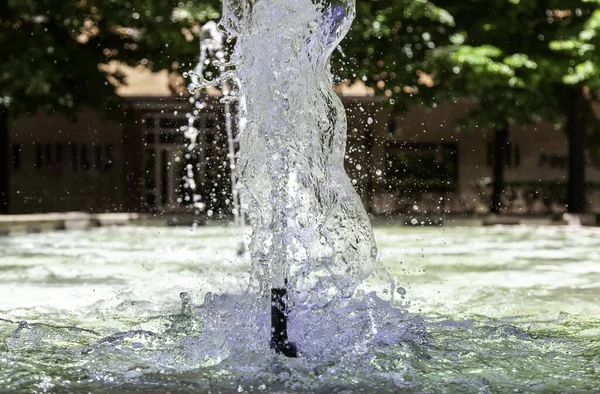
(417, 162)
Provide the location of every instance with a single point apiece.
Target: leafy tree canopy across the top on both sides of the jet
(520, 60)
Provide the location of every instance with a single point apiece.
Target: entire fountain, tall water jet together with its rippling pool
(99, 318)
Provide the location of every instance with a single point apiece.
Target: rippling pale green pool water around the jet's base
(485, 310)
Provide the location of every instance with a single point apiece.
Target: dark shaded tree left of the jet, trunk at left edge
(52, 52)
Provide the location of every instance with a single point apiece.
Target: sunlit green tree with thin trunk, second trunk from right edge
(493, 57)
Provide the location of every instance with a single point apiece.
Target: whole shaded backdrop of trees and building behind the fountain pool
(454, 108)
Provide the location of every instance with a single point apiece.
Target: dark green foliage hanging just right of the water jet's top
(388, 39)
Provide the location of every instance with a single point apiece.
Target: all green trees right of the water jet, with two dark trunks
(520, 61)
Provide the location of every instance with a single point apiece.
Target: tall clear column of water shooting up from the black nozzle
(310, 228)
